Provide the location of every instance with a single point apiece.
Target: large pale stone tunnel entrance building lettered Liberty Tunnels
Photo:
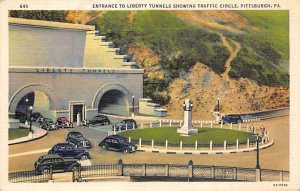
(65, 69)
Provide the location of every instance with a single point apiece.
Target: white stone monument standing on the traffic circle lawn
(187, 128)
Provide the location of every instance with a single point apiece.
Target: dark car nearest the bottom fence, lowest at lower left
(56, 163)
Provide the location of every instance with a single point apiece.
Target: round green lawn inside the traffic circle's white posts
(160, 135)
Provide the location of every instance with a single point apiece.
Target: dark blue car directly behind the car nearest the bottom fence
(68, 150)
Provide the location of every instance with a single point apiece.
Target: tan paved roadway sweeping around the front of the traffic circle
(275, 157)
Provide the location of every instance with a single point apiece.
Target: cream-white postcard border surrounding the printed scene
(294, 184)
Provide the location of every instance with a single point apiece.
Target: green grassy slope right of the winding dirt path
(264, 57)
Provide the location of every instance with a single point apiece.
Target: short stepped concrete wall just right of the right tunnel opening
(147, 107)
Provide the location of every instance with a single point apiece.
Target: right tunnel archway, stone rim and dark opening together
(113, 99)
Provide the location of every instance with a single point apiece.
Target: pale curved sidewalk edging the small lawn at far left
(37, 133)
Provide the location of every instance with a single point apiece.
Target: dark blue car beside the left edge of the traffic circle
(117, 143)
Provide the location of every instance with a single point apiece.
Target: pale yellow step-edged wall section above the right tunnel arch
(102, 54)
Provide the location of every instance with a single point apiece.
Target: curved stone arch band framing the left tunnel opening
(54, 101)
